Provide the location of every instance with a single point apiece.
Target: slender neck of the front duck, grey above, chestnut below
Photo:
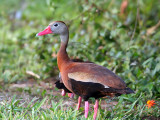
(62, 57)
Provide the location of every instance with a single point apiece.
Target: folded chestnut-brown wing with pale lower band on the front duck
(93, 73)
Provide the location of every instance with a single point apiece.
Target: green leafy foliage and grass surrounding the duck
(126, 42)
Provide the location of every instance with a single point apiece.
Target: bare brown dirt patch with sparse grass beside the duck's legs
(27, 90)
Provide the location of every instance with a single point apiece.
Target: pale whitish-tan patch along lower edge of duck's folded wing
(84, 77)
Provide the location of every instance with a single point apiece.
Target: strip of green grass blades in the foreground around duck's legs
(37, 109)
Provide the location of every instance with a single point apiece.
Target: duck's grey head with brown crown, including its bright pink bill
(57, 27)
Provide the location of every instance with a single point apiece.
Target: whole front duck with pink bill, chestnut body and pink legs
(84, 79)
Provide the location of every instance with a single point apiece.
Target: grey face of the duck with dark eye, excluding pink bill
(58, 28)
